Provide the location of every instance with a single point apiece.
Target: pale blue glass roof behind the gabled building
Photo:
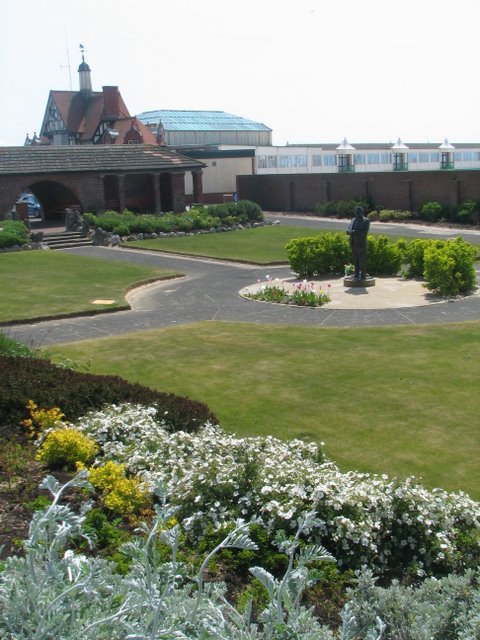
(199, 121)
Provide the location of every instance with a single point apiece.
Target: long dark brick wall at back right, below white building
(396, 190)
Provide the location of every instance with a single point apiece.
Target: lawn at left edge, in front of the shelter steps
(37, 284)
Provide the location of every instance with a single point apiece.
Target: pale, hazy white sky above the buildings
(311, 70)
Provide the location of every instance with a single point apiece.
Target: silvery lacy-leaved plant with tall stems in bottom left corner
(52, 593)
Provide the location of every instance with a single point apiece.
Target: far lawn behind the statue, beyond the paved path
(263, 245)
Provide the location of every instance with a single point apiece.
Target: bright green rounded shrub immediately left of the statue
(323, 254)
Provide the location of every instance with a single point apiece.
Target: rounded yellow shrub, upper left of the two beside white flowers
(65, 447)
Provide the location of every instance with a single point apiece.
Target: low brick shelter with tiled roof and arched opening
(142, 178)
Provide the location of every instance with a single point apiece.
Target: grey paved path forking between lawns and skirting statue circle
(210, 291)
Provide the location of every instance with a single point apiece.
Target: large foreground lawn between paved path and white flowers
(398, 400)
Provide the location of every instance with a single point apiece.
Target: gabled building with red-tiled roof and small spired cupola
(90, 117)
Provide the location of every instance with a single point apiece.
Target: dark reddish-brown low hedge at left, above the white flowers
(75, 393)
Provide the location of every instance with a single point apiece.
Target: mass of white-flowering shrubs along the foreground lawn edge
(213, 477)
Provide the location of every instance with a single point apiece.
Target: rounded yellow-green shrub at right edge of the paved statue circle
(450, 270)
